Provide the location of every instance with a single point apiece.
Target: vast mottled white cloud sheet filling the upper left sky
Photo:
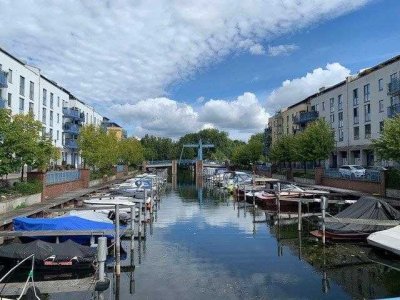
(126, 51)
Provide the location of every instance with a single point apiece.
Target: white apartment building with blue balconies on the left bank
(24, 89)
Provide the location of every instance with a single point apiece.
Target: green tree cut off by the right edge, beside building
(388, 144)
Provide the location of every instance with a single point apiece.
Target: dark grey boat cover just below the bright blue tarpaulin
(43, 250)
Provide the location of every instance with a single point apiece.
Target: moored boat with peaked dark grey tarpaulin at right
(367, 208)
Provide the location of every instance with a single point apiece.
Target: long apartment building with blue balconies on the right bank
(356, 109)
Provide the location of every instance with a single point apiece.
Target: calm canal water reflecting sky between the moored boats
(201, 246)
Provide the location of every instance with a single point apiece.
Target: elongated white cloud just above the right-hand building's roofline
(292, 91)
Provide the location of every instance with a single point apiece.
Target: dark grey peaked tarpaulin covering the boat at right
(367, 207)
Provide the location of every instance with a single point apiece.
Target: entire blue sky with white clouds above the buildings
(170, 67)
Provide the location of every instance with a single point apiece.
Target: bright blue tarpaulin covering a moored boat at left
(72, 223)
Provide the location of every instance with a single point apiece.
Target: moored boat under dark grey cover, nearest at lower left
(49, 256)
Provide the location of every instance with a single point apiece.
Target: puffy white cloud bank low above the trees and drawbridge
(168, 117)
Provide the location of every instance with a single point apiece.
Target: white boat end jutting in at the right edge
(388, 239)
